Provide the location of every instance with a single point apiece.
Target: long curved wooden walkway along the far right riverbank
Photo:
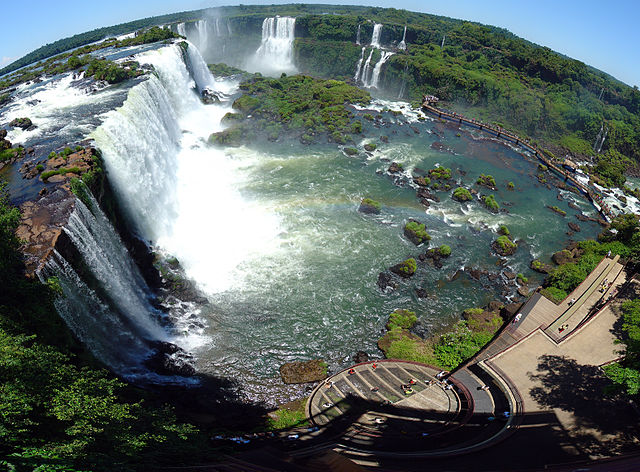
(594, 197)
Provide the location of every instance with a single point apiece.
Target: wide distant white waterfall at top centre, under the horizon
(275, 53)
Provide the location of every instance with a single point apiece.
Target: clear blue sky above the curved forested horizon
(601, 34)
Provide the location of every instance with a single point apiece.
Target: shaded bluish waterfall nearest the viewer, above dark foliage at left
(116, 317)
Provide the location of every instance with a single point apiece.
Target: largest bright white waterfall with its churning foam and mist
(205, 222)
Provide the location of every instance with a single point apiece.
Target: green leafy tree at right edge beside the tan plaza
(626, 373)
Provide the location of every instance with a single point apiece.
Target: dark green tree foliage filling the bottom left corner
(58, 410)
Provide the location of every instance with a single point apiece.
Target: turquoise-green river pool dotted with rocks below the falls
(313, 292)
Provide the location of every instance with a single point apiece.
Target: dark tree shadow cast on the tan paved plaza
(603, 424)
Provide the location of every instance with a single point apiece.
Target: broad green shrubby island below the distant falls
(300, 106)
